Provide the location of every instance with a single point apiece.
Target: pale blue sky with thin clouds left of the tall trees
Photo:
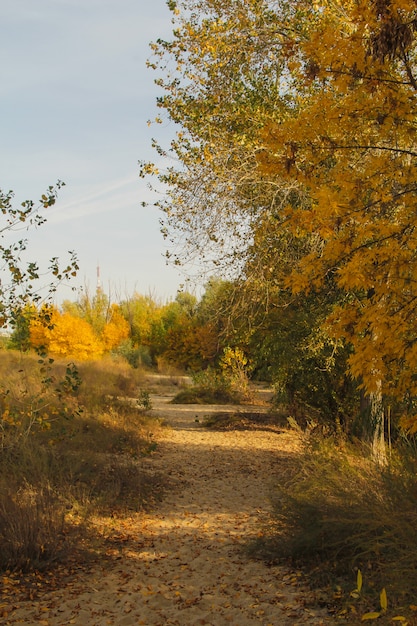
(75, 99)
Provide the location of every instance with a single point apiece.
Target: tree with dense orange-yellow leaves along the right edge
(351, 144)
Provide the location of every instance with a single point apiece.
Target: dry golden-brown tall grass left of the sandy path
(69, 446)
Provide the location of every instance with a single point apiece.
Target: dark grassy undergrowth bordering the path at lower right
(336, 512)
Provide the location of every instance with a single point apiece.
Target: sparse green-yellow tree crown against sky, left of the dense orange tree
(222, 92)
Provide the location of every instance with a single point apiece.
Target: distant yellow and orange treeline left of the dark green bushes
(183, 333)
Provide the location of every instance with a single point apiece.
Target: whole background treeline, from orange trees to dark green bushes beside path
(280, 341)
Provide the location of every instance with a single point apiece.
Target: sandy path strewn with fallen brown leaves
(184, 564)
